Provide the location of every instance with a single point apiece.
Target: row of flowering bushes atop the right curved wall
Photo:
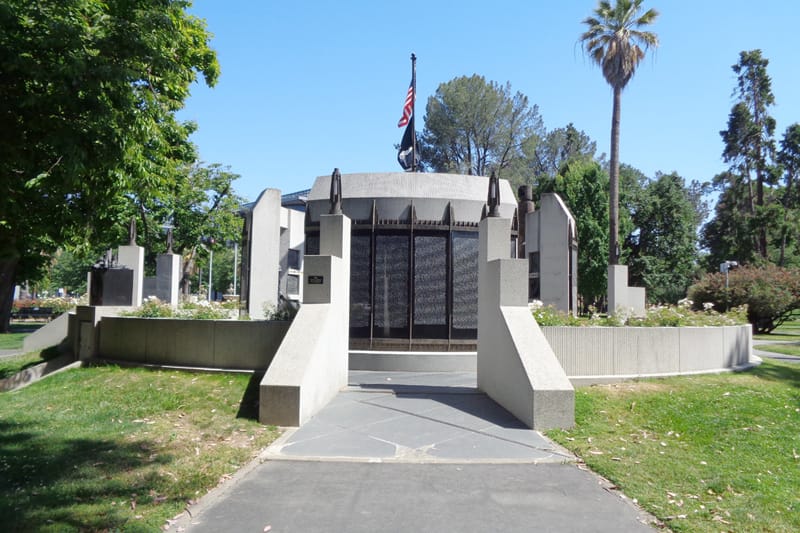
(656, 316)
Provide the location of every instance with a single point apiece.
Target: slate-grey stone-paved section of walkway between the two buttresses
(419, 418)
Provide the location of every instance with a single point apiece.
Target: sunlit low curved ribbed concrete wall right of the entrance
(598, 354)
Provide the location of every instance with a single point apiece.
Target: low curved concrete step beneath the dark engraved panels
(401, 361)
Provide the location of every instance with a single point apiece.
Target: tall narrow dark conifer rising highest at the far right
(749, 142)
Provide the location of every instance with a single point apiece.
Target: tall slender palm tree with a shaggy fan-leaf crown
(616, 43)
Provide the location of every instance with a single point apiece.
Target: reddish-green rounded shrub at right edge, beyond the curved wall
(770, 293)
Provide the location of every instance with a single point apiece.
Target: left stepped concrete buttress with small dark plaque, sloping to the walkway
(311, 364)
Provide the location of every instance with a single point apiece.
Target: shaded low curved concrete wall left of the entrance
(228, 344)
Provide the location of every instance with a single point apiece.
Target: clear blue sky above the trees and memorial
(307, 86)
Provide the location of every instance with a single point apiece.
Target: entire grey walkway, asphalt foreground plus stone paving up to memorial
(414, 452)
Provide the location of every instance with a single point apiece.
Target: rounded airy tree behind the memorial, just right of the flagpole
(474, 127)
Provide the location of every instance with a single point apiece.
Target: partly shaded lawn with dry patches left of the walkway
(113, 449)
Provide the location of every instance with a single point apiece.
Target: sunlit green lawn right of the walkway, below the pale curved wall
(703, 453)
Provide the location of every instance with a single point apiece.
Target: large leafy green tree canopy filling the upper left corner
(88, 98)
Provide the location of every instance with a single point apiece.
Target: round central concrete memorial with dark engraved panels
(414, 256)
